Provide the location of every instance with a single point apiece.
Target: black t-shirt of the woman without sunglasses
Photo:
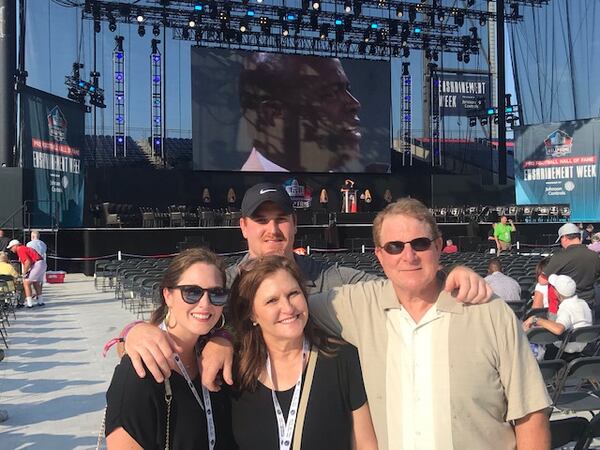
(336, 391)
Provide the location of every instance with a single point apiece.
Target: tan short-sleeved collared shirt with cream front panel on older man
(489, 373)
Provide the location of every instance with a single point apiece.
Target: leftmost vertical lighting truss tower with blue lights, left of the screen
(119, 105)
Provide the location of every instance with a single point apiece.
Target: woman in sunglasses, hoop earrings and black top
(180, 413)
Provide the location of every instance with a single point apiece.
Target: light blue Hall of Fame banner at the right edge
(558, 163)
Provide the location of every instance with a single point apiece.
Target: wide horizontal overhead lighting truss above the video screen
(299, 26)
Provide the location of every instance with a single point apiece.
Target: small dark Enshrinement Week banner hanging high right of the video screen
(457, 93)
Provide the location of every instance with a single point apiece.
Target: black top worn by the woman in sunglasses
(138, 405)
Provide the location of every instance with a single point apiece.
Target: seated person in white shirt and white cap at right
(573, 312)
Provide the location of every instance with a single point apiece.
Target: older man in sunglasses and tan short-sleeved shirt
(438, 374)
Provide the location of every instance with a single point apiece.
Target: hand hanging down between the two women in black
(216, 355)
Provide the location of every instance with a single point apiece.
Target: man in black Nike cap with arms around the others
(269, 225)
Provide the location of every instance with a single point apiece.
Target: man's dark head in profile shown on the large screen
(308, 118)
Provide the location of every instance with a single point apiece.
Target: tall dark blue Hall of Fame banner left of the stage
(52, 136)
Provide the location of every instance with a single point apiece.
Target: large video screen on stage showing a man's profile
(254, 111)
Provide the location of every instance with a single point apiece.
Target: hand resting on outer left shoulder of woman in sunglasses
(150, 344)
